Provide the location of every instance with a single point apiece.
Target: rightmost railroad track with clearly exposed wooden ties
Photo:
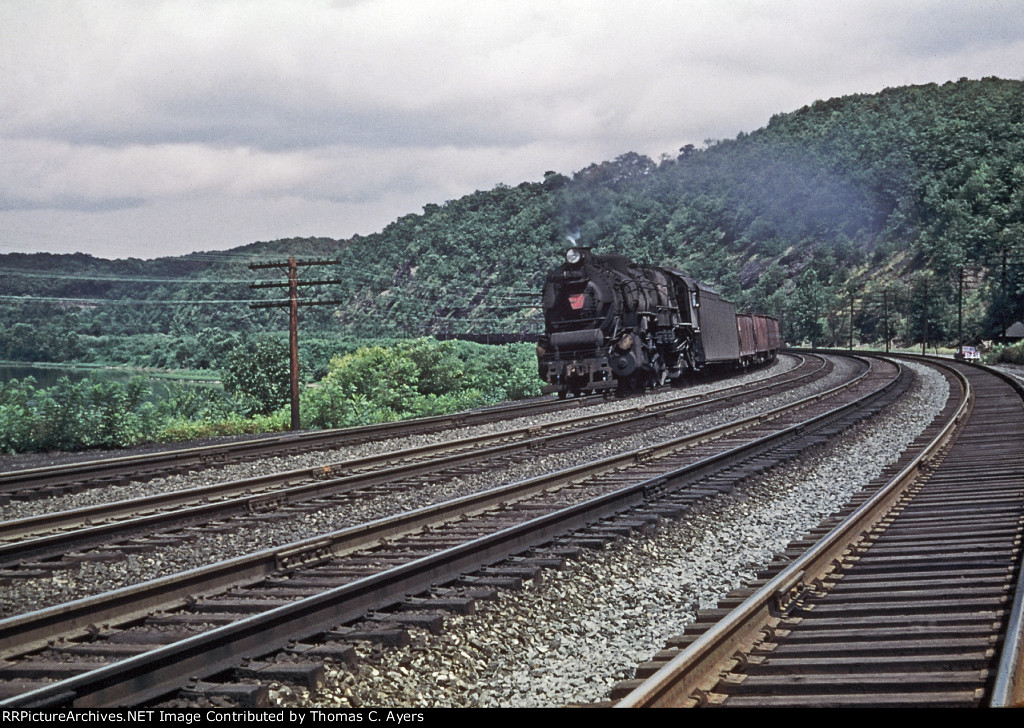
(913, 597)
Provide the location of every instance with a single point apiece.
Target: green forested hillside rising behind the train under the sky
(883, 198)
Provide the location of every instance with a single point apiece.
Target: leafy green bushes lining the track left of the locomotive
(373, 384)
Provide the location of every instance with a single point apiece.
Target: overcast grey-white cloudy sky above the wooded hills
(159, 129)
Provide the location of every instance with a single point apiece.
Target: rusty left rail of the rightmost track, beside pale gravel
(697, 668)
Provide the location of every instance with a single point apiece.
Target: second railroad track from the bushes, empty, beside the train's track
(28, 544)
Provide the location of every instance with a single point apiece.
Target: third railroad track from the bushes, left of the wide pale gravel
(165, 626)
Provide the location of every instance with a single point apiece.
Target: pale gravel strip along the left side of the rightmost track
(570, 638)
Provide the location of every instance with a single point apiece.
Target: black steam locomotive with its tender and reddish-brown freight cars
(612, 324)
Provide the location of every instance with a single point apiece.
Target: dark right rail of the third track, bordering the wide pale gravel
(156, 672)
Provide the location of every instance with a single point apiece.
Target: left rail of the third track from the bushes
(26, 632)
